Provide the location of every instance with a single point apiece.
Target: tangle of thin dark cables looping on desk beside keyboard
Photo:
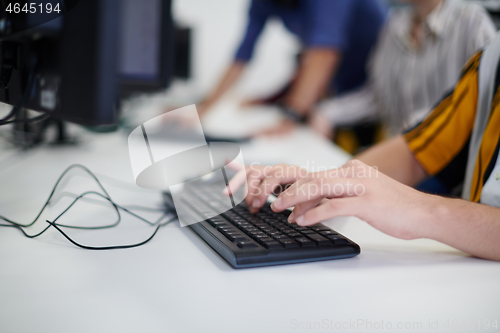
(58, 226)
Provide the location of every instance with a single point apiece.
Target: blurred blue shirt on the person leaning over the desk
(349, 26)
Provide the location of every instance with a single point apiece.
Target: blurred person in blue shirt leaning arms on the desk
(336, 37)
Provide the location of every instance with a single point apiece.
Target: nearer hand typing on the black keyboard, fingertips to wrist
(359, 190)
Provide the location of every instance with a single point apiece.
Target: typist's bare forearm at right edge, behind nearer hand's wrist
(470, 227)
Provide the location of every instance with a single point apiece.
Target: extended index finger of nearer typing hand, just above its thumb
(319, 188)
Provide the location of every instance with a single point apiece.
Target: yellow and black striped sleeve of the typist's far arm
(440, 142)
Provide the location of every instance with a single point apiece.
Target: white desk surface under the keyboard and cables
(176, 283)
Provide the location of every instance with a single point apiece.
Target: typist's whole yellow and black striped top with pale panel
(459, 140)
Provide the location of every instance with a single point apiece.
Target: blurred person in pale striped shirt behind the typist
(419, 57)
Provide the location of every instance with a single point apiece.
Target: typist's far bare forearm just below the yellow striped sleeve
(393, 158)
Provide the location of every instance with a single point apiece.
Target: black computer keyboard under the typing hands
(266, 238)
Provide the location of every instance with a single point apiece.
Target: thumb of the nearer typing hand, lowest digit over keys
(330, 209)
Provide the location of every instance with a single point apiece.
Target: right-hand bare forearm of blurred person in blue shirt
(316, 70)
